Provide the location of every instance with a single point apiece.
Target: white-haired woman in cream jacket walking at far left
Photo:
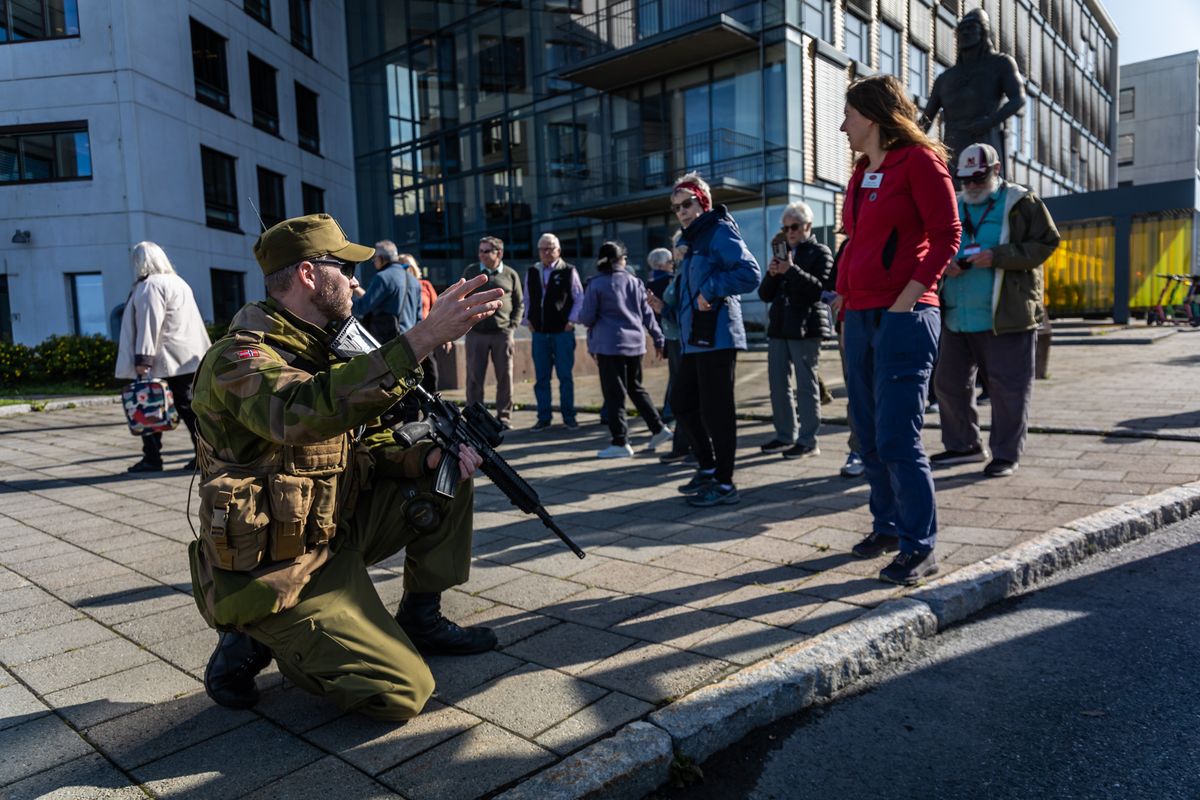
(163, 336)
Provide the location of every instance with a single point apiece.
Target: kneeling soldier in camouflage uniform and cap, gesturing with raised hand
(301, 495)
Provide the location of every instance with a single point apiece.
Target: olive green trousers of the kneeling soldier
(340, 641)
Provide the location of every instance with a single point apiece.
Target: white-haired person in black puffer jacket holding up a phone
(797, 322)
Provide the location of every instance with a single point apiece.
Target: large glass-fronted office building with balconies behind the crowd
(574, 117)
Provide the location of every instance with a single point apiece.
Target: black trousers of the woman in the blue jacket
(703, 399)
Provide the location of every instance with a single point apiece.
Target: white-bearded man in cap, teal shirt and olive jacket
(992, 309)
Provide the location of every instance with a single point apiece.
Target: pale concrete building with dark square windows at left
(127, 121)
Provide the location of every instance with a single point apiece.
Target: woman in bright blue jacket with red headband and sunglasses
(717, 269)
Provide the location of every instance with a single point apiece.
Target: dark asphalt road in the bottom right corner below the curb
(1089, 689)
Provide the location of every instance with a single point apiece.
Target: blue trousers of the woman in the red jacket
(890, 358)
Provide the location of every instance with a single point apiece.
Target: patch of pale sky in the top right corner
(1150, 29)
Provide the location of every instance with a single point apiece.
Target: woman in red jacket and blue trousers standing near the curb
(902, 220)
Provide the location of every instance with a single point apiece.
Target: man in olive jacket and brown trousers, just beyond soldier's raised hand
(493, 339)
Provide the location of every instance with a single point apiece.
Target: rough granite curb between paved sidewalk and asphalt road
(638, 757)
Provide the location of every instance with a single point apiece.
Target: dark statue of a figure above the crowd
(977, 94)
